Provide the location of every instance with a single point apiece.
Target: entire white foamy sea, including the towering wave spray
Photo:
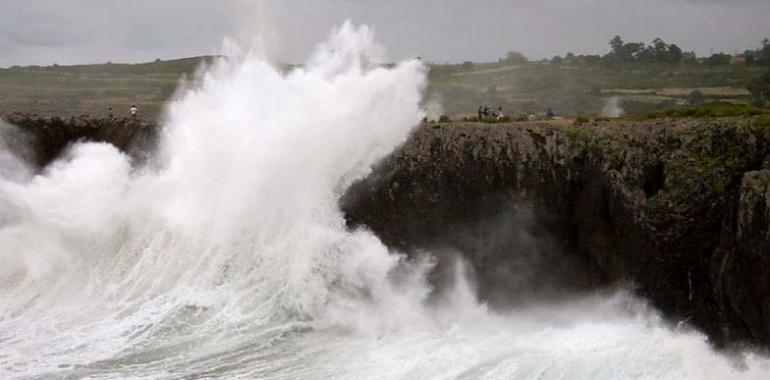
(228, 257)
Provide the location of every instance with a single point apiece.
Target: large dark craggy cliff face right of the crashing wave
(676, 208)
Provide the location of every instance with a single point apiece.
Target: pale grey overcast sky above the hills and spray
(85, 31)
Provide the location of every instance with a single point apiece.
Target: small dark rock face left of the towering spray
(47, 137)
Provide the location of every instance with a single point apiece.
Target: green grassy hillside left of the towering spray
(92, 89)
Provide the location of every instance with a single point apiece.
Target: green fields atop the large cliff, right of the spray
(583, 89)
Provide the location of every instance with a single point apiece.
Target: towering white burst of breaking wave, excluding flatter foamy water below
(241, 215)
